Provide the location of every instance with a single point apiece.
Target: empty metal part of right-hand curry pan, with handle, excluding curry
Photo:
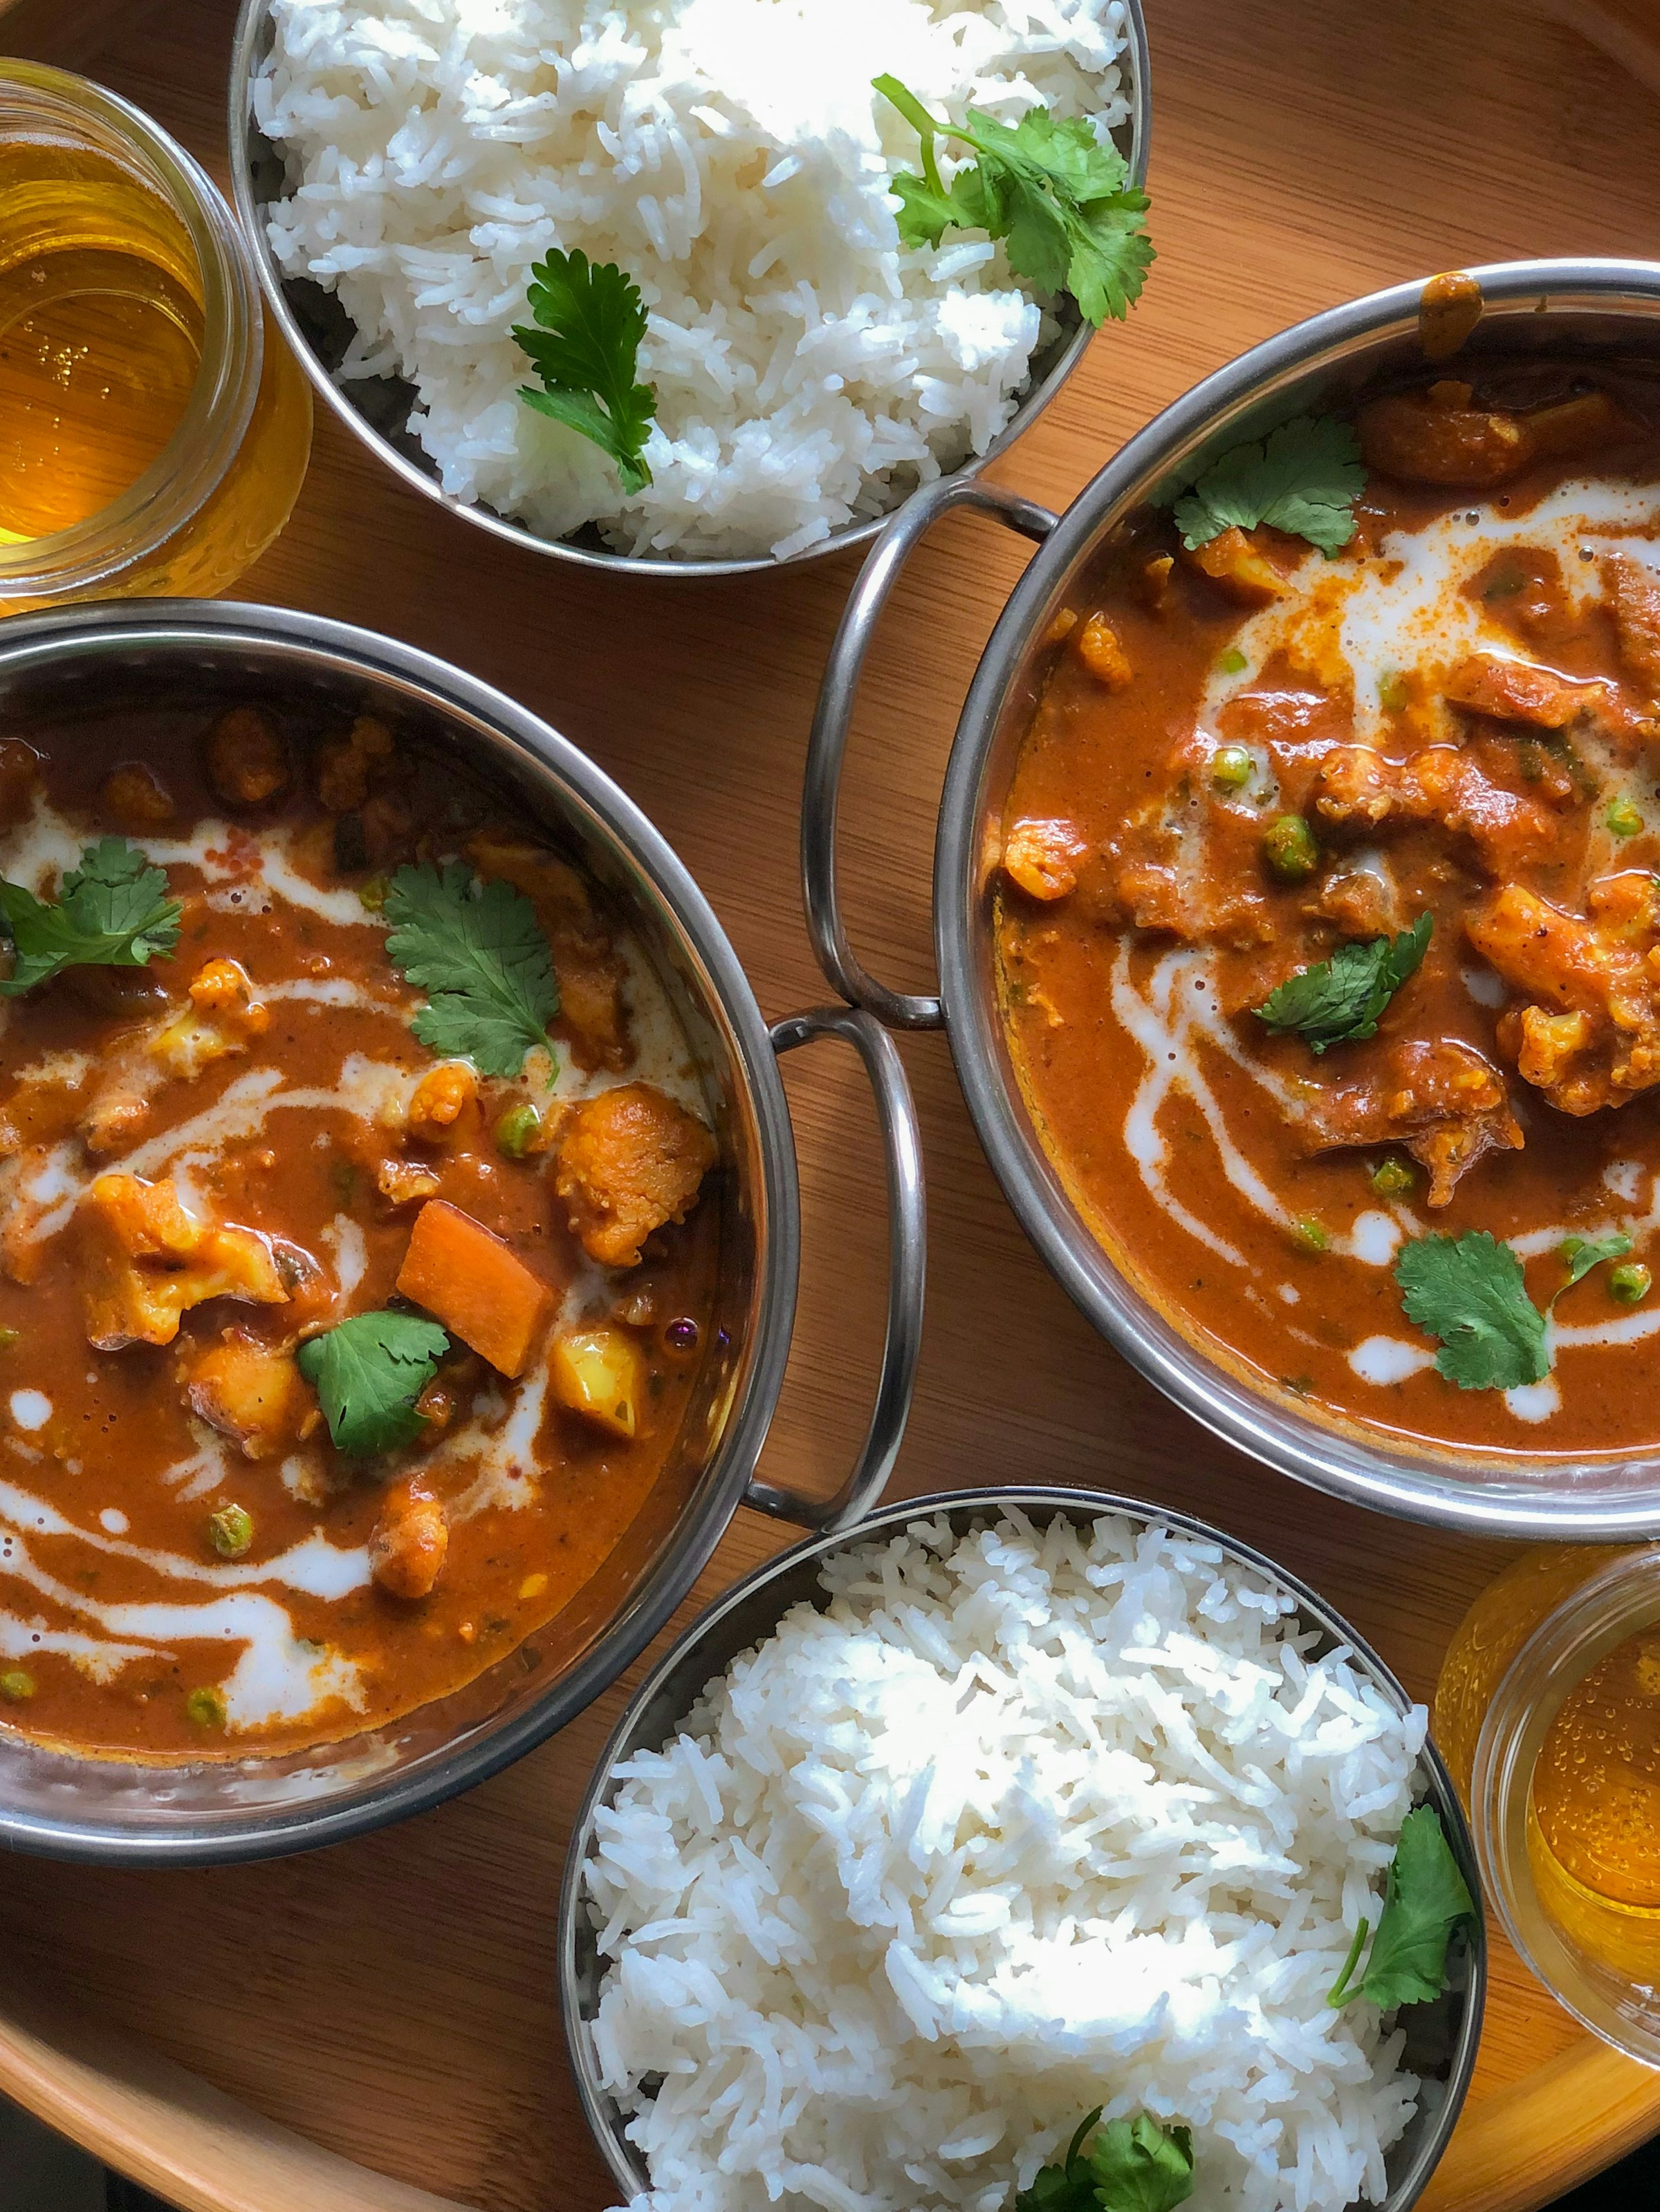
(1595, 309)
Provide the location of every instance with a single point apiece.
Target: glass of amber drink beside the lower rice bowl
(1548, 1713)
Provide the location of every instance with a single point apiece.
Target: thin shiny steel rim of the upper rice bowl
(242, 127)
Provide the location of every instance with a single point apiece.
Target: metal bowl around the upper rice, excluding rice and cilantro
(377, 410)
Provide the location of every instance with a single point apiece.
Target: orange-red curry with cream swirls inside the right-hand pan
(1258, 764)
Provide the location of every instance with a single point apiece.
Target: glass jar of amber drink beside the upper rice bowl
(154, 430)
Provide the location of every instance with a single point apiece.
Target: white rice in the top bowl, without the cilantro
(734, 158)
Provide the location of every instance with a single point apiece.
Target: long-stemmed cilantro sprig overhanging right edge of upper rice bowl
(1061, 202)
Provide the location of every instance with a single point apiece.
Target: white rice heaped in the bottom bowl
(1017, 1826)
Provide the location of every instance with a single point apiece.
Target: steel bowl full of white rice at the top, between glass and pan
(791, 368)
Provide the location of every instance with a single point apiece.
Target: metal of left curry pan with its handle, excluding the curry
(85, 665)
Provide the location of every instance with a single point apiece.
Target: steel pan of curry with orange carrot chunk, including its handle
(400, 1233)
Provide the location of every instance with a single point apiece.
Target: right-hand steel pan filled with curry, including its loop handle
(1296, 895)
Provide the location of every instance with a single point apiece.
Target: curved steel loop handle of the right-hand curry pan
(833, 718)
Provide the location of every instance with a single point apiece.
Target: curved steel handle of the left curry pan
(902, 1145)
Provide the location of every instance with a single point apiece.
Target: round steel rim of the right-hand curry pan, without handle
(1349, 1463)
